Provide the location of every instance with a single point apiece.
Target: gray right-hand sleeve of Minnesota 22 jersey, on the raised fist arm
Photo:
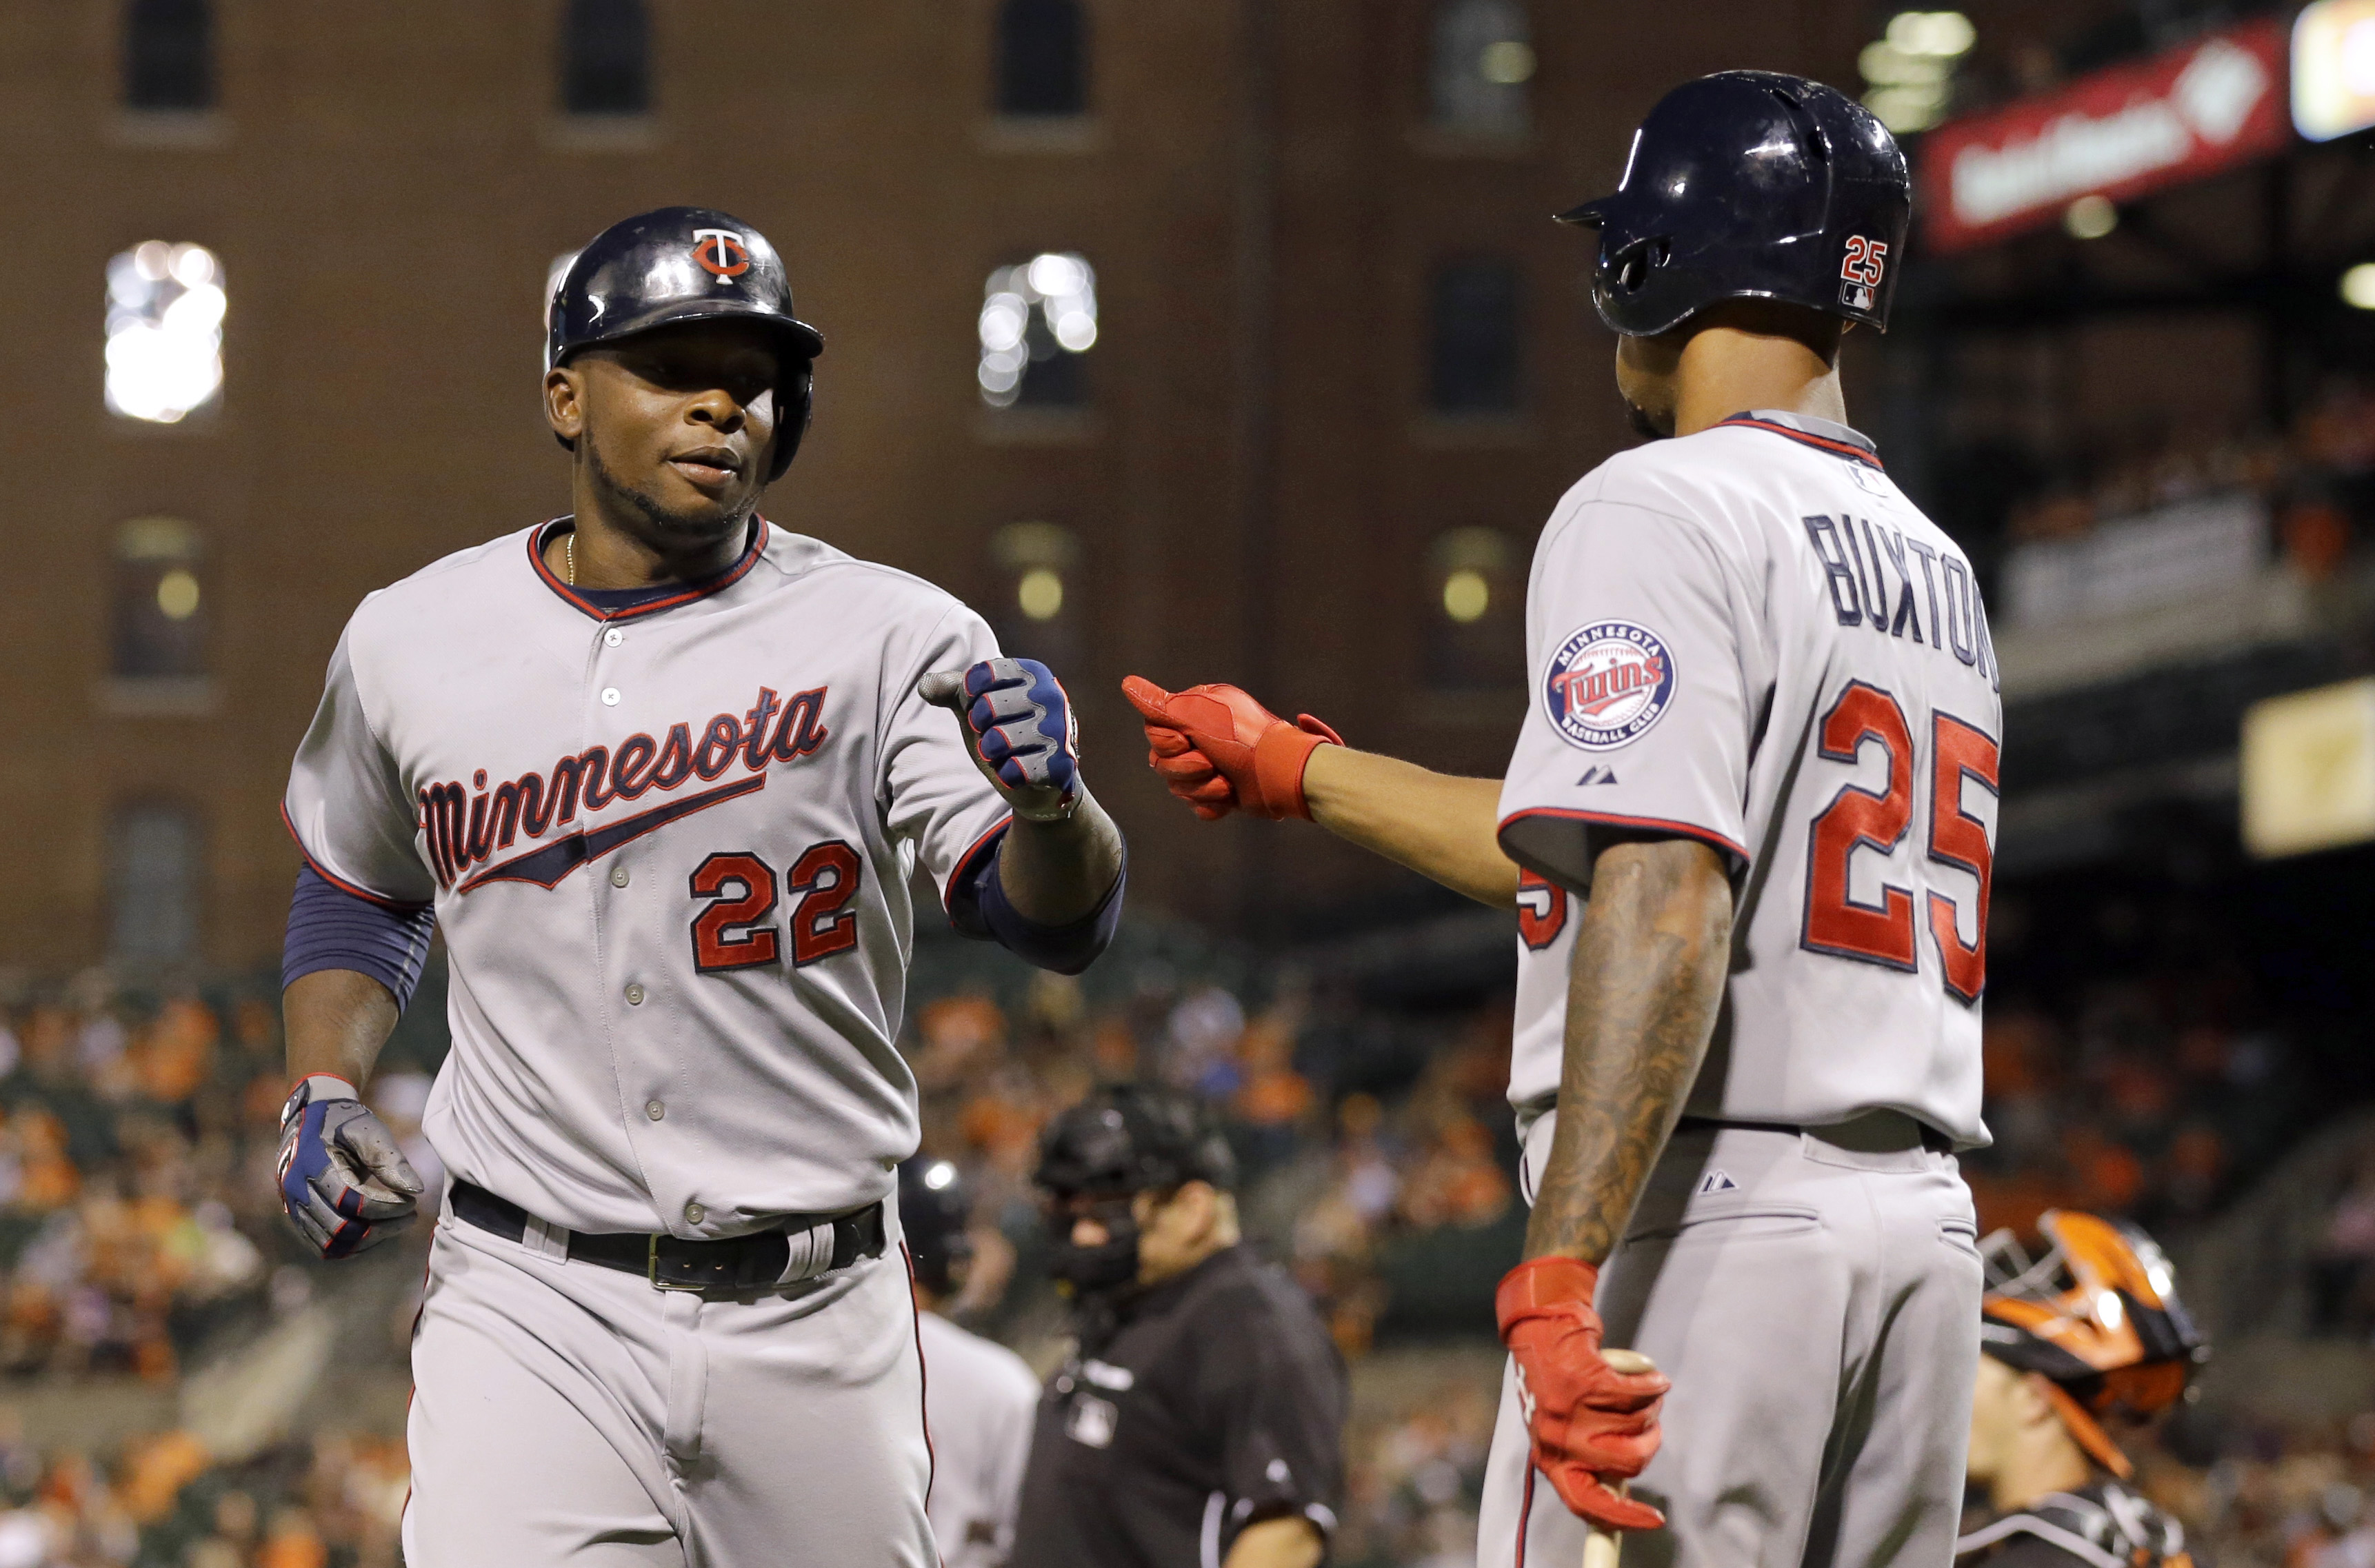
(935, 797)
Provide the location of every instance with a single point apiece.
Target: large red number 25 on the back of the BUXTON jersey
(1880, 821)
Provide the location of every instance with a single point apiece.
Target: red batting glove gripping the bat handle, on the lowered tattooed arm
(1588, 1422)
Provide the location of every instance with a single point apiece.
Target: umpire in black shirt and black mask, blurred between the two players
(1201, 1417)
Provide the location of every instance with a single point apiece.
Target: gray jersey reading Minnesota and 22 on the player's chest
(669, 852)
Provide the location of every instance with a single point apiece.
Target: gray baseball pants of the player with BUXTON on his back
(1816, 1298)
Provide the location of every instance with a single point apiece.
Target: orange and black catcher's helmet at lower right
(2098, 1317)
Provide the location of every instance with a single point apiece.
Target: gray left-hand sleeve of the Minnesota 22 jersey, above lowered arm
(348, 807)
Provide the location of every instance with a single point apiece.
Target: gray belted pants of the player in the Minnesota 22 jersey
(574, 1415)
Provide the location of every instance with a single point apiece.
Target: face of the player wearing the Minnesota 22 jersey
(678, 429)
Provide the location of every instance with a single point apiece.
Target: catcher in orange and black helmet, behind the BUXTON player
(2075, 1346)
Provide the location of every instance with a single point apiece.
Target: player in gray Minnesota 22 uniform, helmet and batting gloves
(661, 773)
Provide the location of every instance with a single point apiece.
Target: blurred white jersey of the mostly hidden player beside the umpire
(980, 1401)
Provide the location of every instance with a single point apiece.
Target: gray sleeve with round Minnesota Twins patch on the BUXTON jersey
(1640, 712)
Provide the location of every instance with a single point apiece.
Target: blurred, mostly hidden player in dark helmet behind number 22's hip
(977, 1393)
